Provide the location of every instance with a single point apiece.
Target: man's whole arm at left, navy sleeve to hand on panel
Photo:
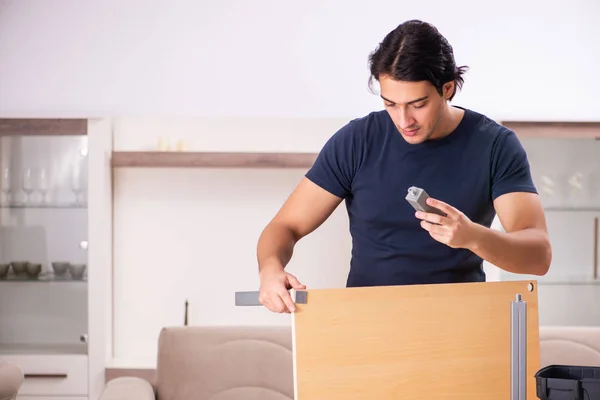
(315, 198)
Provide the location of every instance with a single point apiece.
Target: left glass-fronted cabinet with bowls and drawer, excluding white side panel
(44, 254)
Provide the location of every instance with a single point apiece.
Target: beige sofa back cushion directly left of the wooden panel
(225, 363)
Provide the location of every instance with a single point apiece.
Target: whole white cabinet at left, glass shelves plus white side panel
(55, 200)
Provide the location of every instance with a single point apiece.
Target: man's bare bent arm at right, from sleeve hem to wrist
(525, 246)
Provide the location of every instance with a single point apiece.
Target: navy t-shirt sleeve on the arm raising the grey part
(510, 168)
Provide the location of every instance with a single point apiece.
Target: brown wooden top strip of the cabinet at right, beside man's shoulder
(546, 129)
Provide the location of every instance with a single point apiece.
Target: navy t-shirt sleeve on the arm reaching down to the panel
(335, 166)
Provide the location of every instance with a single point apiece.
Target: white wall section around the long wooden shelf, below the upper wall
(192, 233)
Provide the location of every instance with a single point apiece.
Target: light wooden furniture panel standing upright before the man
(448, 341)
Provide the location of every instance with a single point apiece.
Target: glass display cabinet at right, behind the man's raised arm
(566, 171)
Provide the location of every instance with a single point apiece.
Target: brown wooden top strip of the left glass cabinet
(42, 126)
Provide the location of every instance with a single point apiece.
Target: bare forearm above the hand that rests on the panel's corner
(275, 246)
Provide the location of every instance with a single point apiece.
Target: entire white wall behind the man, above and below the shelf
(268, 59)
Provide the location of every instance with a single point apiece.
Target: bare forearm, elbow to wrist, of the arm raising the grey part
(524, 252)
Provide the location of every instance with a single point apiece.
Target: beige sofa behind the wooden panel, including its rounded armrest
(252, 363)
